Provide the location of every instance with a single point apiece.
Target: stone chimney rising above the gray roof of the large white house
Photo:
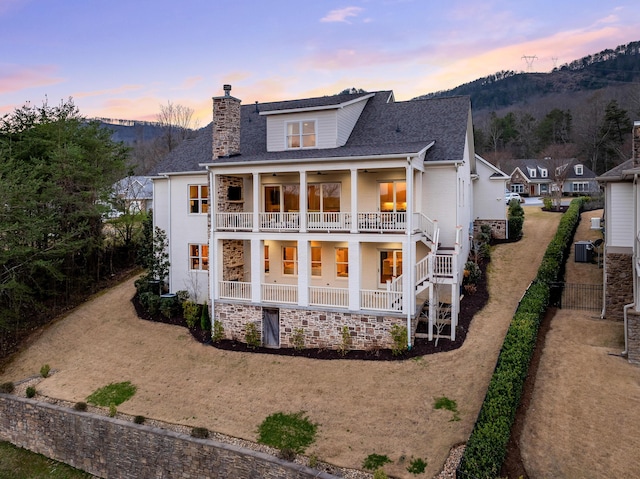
(226, 124)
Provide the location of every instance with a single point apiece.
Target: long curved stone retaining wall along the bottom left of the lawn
(108, 447)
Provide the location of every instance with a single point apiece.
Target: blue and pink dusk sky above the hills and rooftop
(124, 58)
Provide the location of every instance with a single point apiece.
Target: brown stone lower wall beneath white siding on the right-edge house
(618, 284)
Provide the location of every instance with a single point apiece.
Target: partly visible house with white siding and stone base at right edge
(622, 246)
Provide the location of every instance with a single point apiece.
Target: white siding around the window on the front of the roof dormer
(326, 128)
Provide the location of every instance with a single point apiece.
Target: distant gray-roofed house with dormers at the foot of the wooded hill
(542, 177)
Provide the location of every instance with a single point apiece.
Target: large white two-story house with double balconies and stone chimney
(310, 215)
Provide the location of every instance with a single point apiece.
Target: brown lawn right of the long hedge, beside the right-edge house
(584, 416)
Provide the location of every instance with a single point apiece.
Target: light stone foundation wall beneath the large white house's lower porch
(321, 329)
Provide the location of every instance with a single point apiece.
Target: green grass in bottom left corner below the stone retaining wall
(18, 463)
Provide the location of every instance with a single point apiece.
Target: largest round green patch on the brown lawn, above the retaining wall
(289, 433)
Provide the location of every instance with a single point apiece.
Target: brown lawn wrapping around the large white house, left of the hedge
(363, 407)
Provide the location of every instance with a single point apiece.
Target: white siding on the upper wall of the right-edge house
(620, 215)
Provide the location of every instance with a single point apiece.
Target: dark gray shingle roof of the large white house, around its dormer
(384, 128)
